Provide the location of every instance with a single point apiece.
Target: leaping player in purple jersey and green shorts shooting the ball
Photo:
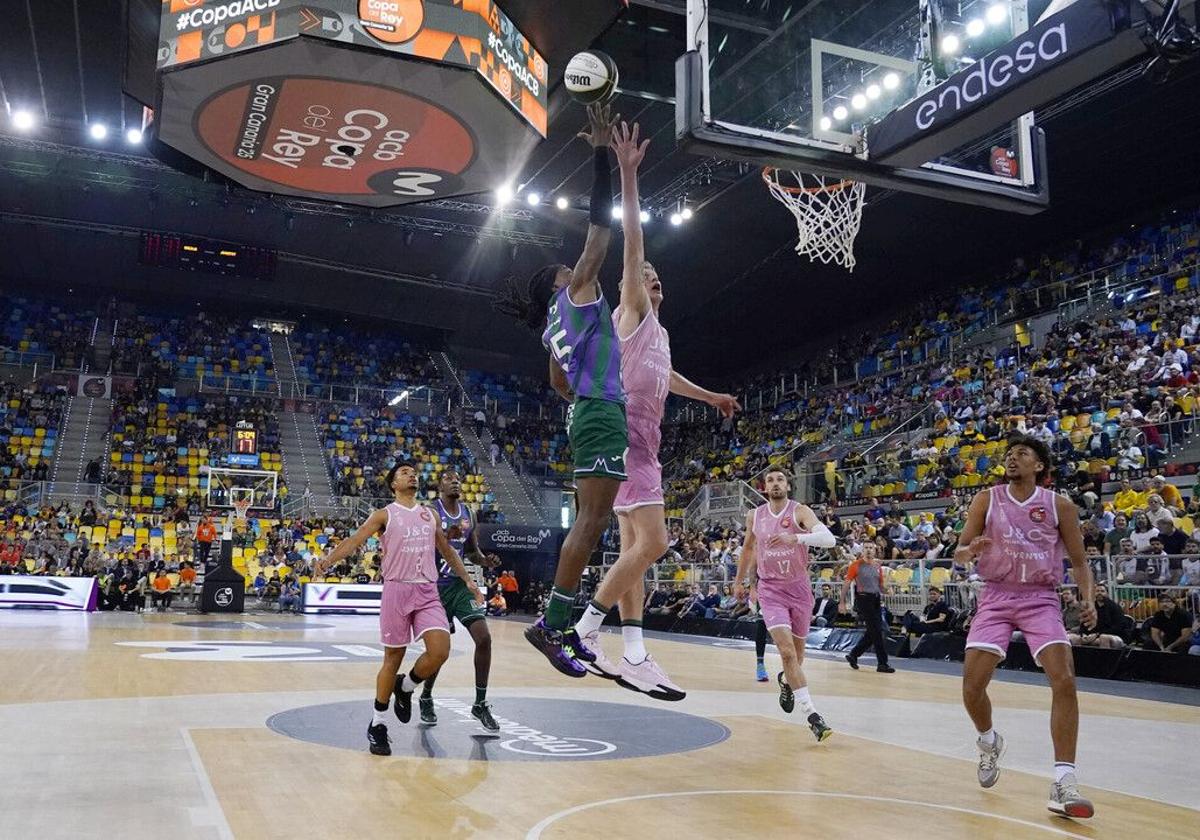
(585, 369)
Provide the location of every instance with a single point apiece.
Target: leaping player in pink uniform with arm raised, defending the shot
(647, 376)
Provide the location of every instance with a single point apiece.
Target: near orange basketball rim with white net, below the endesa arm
(827, 212)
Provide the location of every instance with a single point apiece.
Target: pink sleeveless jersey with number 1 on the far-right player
(1027, 547)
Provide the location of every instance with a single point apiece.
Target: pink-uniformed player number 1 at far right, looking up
(1018, 533)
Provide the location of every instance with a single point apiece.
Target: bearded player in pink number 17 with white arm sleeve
(782, 532)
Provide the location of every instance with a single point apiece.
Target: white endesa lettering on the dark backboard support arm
(992, 75)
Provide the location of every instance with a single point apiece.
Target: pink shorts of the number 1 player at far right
(1037, 614)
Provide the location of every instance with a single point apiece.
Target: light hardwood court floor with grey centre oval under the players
(147, 728)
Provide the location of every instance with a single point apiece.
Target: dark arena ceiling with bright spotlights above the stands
(71, 207)
